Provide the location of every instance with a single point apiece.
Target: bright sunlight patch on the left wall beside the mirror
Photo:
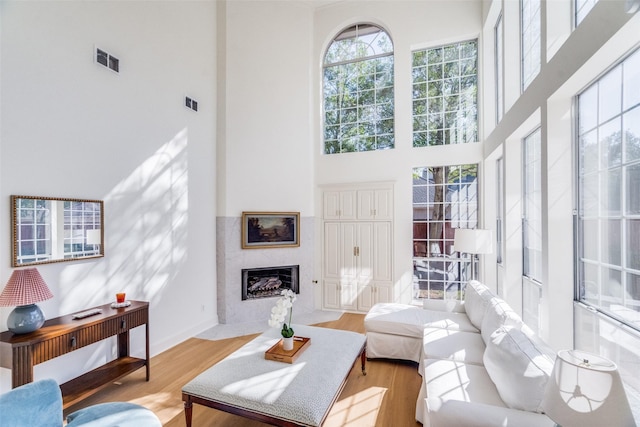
(146, 218)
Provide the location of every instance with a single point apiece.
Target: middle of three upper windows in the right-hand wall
(530, 40)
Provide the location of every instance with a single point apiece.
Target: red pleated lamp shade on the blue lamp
(24, 287)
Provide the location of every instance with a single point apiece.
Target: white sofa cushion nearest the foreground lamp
(518, 368)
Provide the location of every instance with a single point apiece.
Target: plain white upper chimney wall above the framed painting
(267, 145)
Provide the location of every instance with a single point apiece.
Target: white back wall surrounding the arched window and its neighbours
(412, 25)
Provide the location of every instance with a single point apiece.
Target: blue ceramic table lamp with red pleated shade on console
(23, 290)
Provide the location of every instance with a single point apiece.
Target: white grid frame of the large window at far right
(588, 265)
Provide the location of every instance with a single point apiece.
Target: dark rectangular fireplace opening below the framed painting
(269, 281)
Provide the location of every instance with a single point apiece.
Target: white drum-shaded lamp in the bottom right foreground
(585, 390)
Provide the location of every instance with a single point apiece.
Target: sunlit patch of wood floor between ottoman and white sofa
(360, 409)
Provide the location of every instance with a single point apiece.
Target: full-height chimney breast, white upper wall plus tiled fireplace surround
(265, 149)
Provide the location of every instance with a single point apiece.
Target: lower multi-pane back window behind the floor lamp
(444, 198)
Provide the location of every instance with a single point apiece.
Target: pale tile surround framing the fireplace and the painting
(231, 259)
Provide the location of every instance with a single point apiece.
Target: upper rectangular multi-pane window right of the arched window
(445, 94)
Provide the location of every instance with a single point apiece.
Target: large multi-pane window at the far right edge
(609, 195)
